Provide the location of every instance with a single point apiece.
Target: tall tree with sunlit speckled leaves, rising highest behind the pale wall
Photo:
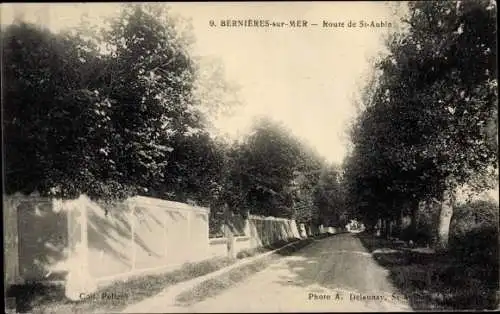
(149, 78)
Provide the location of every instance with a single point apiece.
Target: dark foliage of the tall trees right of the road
(428, 125)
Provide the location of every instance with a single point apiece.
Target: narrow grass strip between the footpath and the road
(214, 286)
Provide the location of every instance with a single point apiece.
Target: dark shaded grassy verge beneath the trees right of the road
(437, 281)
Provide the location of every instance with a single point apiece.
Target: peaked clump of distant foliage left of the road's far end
(272, 173)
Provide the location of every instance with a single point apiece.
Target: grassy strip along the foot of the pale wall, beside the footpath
(38, 298)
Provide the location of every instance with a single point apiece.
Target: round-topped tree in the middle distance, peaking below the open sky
(264, 169)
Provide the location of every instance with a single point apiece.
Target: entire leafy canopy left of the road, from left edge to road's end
(126, 109)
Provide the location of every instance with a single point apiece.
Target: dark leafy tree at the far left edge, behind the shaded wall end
(55, 121)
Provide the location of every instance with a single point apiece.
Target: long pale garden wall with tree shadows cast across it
(46, 239)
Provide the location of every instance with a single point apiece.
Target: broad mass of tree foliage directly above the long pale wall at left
(104, 112)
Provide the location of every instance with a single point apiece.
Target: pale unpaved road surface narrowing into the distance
(332, 274)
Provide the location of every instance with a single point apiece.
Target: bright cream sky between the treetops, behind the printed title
(305, 77)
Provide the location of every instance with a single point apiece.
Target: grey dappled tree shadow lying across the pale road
(337, 263)
